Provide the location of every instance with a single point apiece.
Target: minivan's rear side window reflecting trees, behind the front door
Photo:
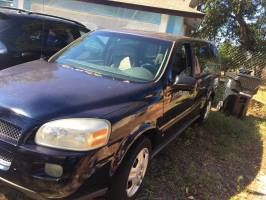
(206, 58)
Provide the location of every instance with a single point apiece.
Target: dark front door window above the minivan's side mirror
(182, 61)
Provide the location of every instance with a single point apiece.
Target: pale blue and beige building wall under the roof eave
(98, 16)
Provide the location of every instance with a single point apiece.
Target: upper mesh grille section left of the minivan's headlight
(9, 132)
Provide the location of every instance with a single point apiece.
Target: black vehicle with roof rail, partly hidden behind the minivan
(26, 36)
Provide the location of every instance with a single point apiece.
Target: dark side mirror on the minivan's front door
(186, 83)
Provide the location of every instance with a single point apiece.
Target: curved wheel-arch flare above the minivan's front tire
(128, 142)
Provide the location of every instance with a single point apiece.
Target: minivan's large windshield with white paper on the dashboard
(116, 55)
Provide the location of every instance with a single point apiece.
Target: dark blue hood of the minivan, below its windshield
(46, 91)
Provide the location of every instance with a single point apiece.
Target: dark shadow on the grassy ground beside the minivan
(215, 161)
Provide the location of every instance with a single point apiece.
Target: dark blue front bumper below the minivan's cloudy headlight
(84, 175)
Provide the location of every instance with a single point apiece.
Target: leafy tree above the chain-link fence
(241, 22)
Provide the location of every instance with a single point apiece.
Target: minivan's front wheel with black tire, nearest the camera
(123, 189)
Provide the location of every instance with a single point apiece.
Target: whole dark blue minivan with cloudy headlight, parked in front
(88, 122)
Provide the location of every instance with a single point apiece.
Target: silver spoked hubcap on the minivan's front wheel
(137, 172)
